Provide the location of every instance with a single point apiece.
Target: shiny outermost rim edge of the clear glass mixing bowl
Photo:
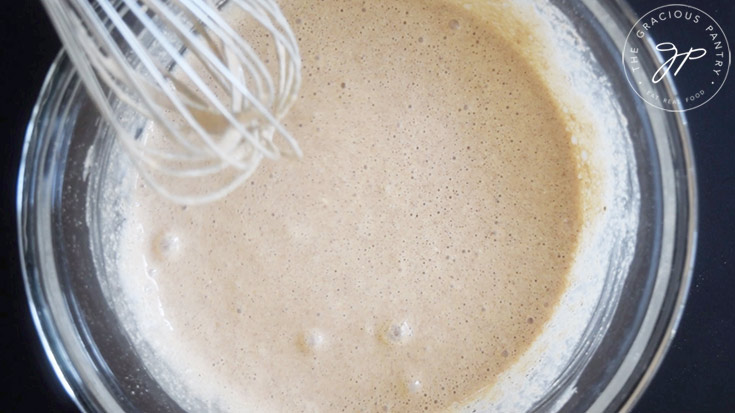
(49, 335)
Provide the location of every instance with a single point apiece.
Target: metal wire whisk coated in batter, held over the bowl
(220, 109)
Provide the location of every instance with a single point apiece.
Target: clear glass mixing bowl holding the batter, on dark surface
(58, 195)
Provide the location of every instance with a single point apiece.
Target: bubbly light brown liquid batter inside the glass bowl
(413, 253)
